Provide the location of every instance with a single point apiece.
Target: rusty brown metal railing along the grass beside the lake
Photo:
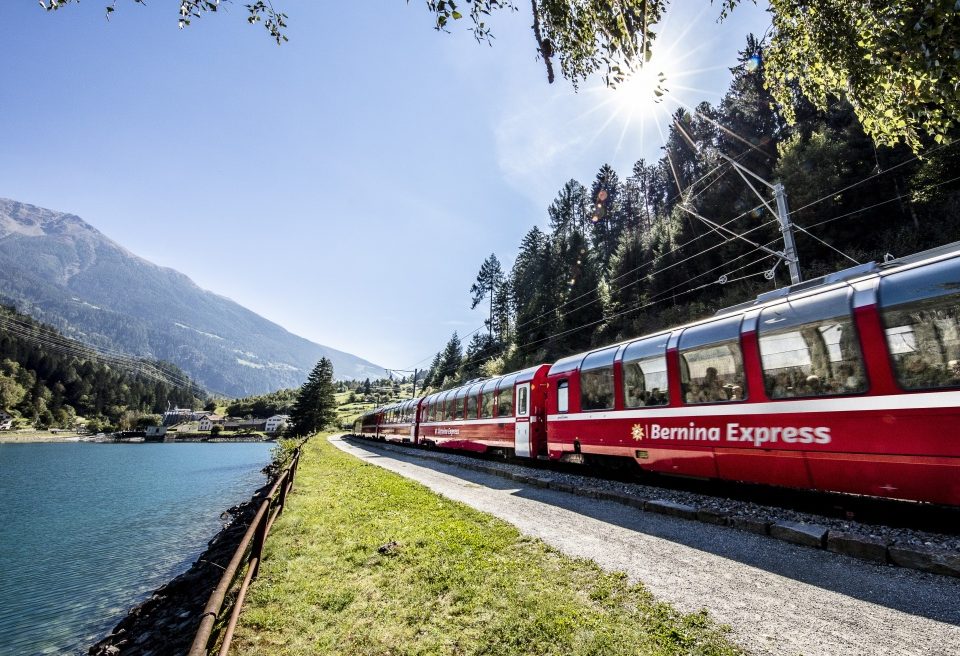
(251, 549)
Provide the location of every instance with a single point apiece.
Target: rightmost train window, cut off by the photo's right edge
(921, 316)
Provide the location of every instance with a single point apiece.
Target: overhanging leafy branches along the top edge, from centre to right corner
(895, 62)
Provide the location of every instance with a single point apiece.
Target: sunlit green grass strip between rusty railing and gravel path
(458, 581)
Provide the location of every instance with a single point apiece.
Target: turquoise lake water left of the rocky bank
(89, 530)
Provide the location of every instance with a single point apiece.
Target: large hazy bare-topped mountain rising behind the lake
(64, 272)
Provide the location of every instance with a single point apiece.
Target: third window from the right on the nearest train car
(711, 364)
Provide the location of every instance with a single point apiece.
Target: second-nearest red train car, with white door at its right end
(503, 415)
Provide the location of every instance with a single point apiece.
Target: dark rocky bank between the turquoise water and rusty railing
(167, 620)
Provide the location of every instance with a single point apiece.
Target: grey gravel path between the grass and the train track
(777, 597)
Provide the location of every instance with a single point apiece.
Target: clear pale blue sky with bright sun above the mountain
(346, 185)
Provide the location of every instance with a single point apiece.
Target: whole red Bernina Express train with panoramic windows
(848, 383)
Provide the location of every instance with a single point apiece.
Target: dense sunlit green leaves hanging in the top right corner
(894, 62)
